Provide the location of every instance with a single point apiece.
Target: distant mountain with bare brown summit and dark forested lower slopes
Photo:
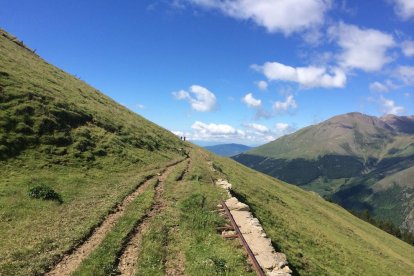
(360, 161)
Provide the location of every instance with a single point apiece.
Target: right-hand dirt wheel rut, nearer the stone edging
(128, 259)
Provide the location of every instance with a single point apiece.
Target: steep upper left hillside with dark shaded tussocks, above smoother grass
(43, 107)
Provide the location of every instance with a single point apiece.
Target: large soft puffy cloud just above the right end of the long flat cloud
(364, 49)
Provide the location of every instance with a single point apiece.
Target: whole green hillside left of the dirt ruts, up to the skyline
(58, 131)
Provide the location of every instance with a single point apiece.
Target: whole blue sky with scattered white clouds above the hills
(244, 71)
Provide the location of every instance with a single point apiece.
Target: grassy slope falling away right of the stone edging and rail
(318, 237)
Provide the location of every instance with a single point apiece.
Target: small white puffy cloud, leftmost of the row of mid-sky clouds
(200, 98)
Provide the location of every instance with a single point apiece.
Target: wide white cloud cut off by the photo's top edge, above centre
(285, 16)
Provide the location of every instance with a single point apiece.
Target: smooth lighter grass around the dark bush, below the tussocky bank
(36, 232)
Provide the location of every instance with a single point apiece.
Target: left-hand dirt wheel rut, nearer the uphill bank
(71, 261)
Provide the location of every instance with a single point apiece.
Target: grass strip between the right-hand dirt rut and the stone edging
(186, 229)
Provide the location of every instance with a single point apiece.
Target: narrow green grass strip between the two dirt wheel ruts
(103, 260)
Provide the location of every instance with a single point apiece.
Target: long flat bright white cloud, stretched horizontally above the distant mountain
(306, 76)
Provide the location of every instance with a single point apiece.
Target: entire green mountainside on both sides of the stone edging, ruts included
(112, 170)
